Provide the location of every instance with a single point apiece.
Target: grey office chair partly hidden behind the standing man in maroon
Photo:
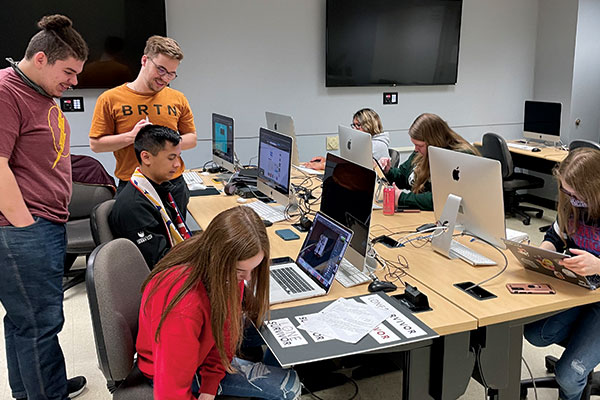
(79, 235)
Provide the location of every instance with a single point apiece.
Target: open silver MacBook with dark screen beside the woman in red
(313, 272)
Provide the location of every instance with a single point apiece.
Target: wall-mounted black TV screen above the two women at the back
(392, 42)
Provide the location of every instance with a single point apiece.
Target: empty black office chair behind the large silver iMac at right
(494, 146)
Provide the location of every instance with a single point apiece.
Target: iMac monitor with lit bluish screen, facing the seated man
(274, 164)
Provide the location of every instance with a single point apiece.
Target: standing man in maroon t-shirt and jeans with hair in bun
(35, 187)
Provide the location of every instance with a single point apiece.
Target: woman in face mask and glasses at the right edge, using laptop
(577, 229)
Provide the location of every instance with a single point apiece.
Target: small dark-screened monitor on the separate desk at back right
(541, 121)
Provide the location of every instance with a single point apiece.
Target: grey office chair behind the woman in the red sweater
(114, 277)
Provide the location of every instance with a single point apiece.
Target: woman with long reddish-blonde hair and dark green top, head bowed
(412, 178)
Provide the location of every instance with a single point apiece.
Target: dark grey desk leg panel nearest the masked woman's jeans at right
(501, 347)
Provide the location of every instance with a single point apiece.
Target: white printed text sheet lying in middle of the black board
(345, 319)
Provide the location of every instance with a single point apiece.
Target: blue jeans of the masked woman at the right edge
(577, 329)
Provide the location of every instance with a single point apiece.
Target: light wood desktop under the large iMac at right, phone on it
(439, 274)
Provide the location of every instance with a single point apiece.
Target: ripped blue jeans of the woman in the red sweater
(257, 380)
